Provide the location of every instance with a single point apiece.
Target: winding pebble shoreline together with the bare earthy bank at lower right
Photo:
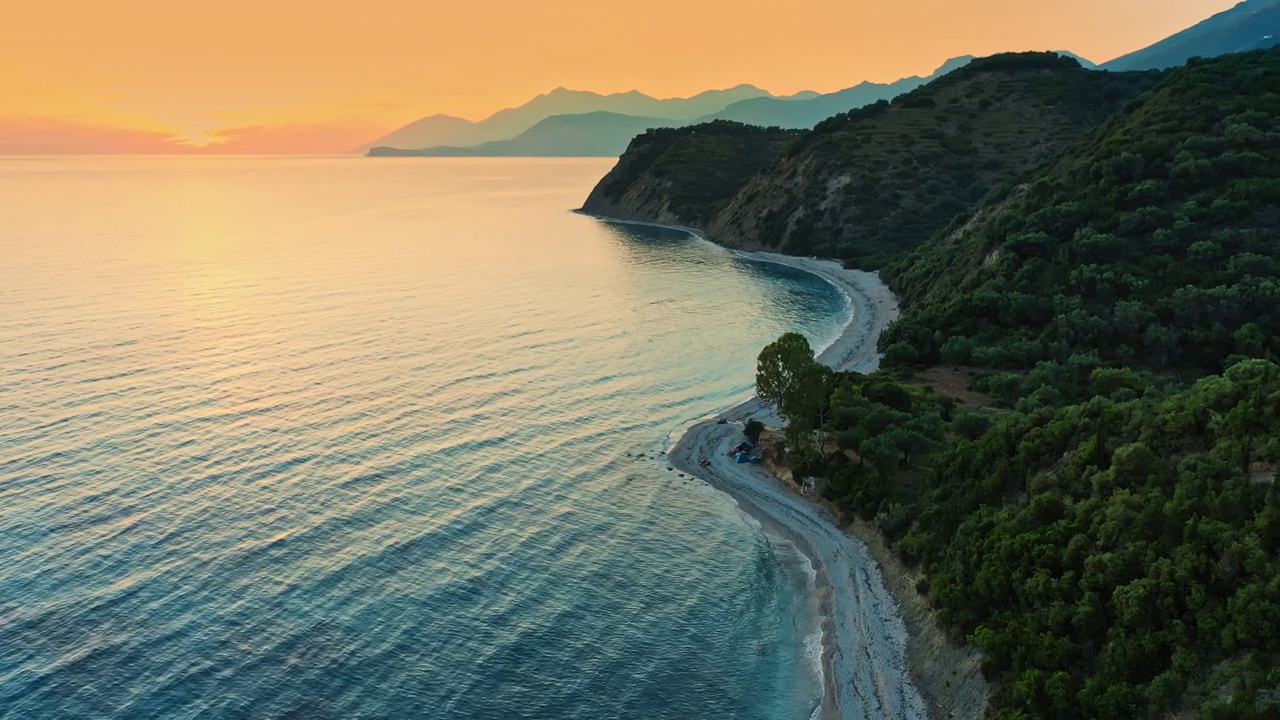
(883, 653)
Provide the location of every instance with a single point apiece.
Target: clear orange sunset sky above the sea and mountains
(275, 76)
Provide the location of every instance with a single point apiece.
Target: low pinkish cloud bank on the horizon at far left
(29, 135)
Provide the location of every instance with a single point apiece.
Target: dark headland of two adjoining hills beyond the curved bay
(875, 181)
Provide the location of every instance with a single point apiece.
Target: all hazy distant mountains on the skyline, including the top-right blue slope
(579, 124)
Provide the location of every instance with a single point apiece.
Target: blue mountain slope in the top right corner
(1250, 26)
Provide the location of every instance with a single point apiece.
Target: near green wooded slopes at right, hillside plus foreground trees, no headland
(1105, 522)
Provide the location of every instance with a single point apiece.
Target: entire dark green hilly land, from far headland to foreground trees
(1077, 434)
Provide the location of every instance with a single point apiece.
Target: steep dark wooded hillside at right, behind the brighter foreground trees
(1155, 243)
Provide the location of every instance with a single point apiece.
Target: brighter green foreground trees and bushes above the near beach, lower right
(1113, 559)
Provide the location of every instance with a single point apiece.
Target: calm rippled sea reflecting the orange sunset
(377, 439)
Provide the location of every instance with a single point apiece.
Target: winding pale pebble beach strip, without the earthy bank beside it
(866, 669)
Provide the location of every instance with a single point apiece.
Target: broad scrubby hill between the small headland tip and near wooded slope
(886, 177)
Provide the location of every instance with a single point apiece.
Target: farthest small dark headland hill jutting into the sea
(687, 176)
